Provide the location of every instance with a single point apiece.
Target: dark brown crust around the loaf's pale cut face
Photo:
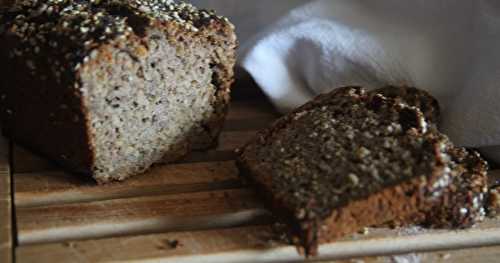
(47, 115)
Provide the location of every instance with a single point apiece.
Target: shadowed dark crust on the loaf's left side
(42, 114)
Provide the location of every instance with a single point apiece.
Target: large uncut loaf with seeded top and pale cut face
(107, 88)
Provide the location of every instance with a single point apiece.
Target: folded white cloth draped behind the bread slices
(449, 48)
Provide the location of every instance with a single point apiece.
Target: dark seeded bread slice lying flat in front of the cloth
(347, 160)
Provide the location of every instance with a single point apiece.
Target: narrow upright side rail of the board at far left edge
(6, 241)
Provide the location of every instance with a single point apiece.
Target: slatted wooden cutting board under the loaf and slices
(196, 210)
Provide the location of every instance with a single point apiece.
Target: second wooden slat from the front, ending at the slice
(138, 215)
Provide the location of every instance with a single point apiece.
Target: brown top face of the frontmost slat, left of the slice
(149, 247)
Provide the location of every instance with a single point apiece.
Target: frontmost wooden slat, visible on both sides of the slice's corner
(255, 244)
